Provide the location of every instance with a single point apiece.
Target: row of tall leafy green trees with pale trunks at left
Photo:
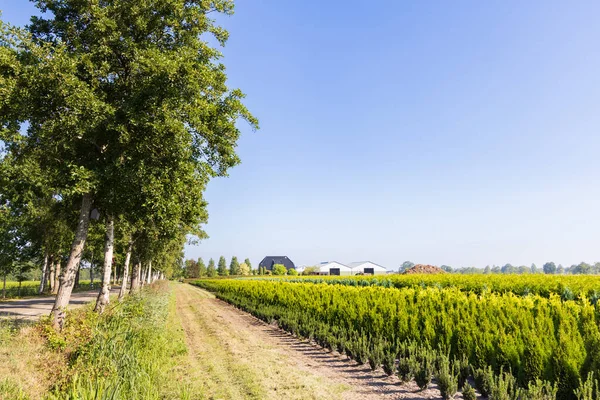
(113, 119)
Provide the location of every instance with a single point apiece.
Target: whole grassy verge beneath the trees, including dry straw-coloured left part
(130, 352)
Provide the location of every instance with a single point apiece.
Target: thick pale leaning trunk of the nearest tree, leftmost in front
(64, 291)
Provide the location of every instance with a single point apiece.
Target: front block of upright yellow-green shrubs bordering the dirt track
(526, 343)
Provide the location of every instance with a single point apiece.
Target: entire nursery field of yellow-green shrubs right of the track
(533, 337)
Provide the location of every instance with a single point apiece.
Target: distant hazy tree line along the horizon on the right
(548, 268)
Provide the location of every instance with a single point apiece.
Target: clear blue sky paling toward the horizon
(463, 133)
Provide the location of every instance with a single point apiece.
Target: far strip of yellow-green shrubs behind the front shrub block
(567, 287)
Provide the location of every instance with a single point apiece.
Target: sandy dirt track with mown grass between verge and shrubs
(233, 355)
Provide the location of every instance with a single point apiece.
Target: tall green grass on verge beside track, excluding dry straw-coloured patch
(129, 352)
